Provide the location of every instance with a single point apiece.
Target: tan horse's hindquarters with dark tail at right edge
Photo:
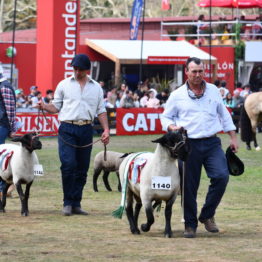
(251, 115)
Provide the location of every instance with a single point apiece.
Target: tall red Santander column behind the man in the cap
(57, 40)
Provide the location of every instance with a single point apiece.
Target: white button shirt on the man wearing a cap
(76, 103)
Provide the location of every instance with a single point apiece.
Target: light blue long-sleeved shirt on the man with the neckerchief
(201, 117)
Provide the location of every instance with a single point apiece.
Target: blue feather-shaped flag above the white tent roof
(135, 19)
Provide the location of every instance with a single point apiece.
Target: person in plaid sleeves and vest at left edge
(7, 114)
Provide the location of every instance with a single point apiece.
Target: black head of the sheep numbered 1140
(176, 143)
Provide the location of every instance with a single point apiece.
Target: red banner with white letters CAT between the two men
(138, 121)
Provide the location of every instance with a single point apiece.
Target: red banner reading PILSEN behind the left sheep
(46, 126)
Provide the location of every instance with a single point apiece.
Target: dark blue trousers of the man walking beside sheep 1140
(208, 153)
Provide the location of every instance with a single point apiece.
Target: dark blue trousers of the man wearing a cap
(74, 161)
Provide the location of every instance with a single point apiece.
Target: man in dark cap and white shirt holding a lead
(78, 99)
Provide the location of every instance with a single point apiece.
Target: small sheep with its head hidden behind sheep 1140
(110, 164)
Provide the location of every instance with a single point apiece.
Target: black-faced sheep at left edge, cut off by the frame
(20, 168)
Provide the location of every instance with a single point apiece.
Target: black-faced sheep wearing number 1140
(159, 180)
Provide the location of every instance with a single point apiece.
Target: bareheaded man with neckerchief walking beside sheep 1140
(198, 107)
